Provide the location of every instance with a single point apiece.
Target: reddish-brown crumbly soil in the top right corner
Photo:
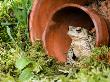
(102, 7)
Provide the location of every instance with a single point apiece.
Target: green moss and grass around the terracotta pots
(22, 62)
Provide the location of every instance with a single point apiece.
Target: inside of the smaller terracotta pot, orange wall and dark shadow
(57, 40)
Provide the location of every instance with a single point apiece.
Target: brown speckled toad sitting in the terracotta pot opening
(82, 42)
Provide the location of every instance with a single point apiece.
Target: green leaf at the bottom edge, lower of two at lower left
(25, 75)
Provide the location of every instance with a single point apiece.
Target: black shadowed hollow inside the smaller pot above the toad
(73, 16)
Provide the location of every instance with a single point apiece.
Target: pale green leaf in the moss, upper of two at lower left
(21, 63)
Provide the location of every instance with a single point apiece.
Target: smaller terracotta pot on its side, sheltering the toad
(55, 38)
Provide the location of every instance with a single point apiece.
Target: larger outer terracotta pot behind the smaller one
(40, 15)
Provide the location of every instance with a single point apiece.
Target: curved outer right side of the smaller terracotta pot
(102, 31)
